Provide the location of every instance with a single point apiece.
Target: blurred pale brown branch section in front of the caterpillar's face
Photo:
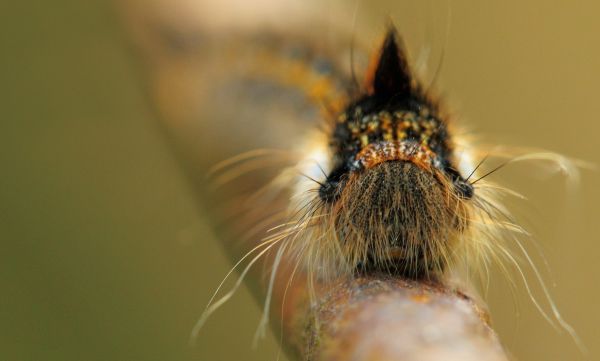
(379, 317)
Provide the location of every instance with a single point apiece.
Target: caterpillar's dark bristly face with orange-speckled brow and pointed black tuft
(394, 194)
